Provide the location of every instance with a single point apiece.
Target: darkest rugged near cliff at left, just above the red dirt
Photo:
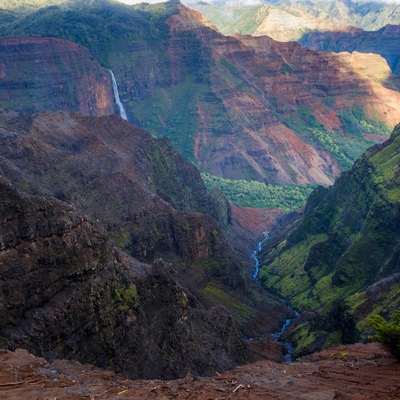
(67, 292)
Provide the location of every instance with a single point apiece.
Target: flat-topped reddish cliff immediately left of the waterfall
(39, 74)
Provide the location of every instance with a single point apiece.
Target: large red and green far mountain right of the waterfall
(191, 84)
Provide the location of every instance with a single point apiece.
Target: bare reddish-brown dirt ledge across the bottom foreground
(343, 372)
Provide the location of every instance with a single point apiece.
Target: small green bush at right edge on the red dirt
(388, 332)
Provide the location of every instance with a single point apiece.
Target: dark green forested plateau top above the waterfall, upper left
(102, 26)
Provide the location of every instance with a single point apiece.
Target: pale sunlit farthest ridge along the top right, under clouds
(288, 20)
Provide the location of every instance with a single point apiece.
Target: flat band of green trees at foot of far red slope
(258, 194)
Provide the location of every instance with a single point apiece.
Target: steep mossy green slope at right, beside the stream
(341, 262)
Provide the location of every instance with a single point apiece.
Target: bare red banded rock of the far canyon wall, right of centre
(280, 79)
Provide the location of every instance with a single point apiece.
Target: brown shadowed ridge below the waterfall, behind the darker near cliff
(151, 202)
